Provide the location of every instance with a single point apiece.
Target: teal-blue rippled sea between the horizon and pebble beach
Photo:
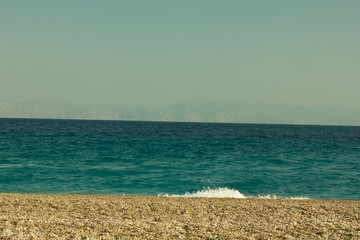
(50, 156)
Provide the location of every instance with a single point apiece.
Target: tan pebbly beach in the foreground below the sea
(30, 216)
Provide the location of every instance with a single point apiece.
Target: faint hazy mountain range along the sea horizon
(187, 112)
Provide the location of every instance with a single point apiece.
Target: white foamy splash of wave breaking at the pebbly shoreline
(224, 192)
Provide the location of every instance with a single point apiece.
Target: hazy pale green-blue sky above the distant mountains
(140, 53)
